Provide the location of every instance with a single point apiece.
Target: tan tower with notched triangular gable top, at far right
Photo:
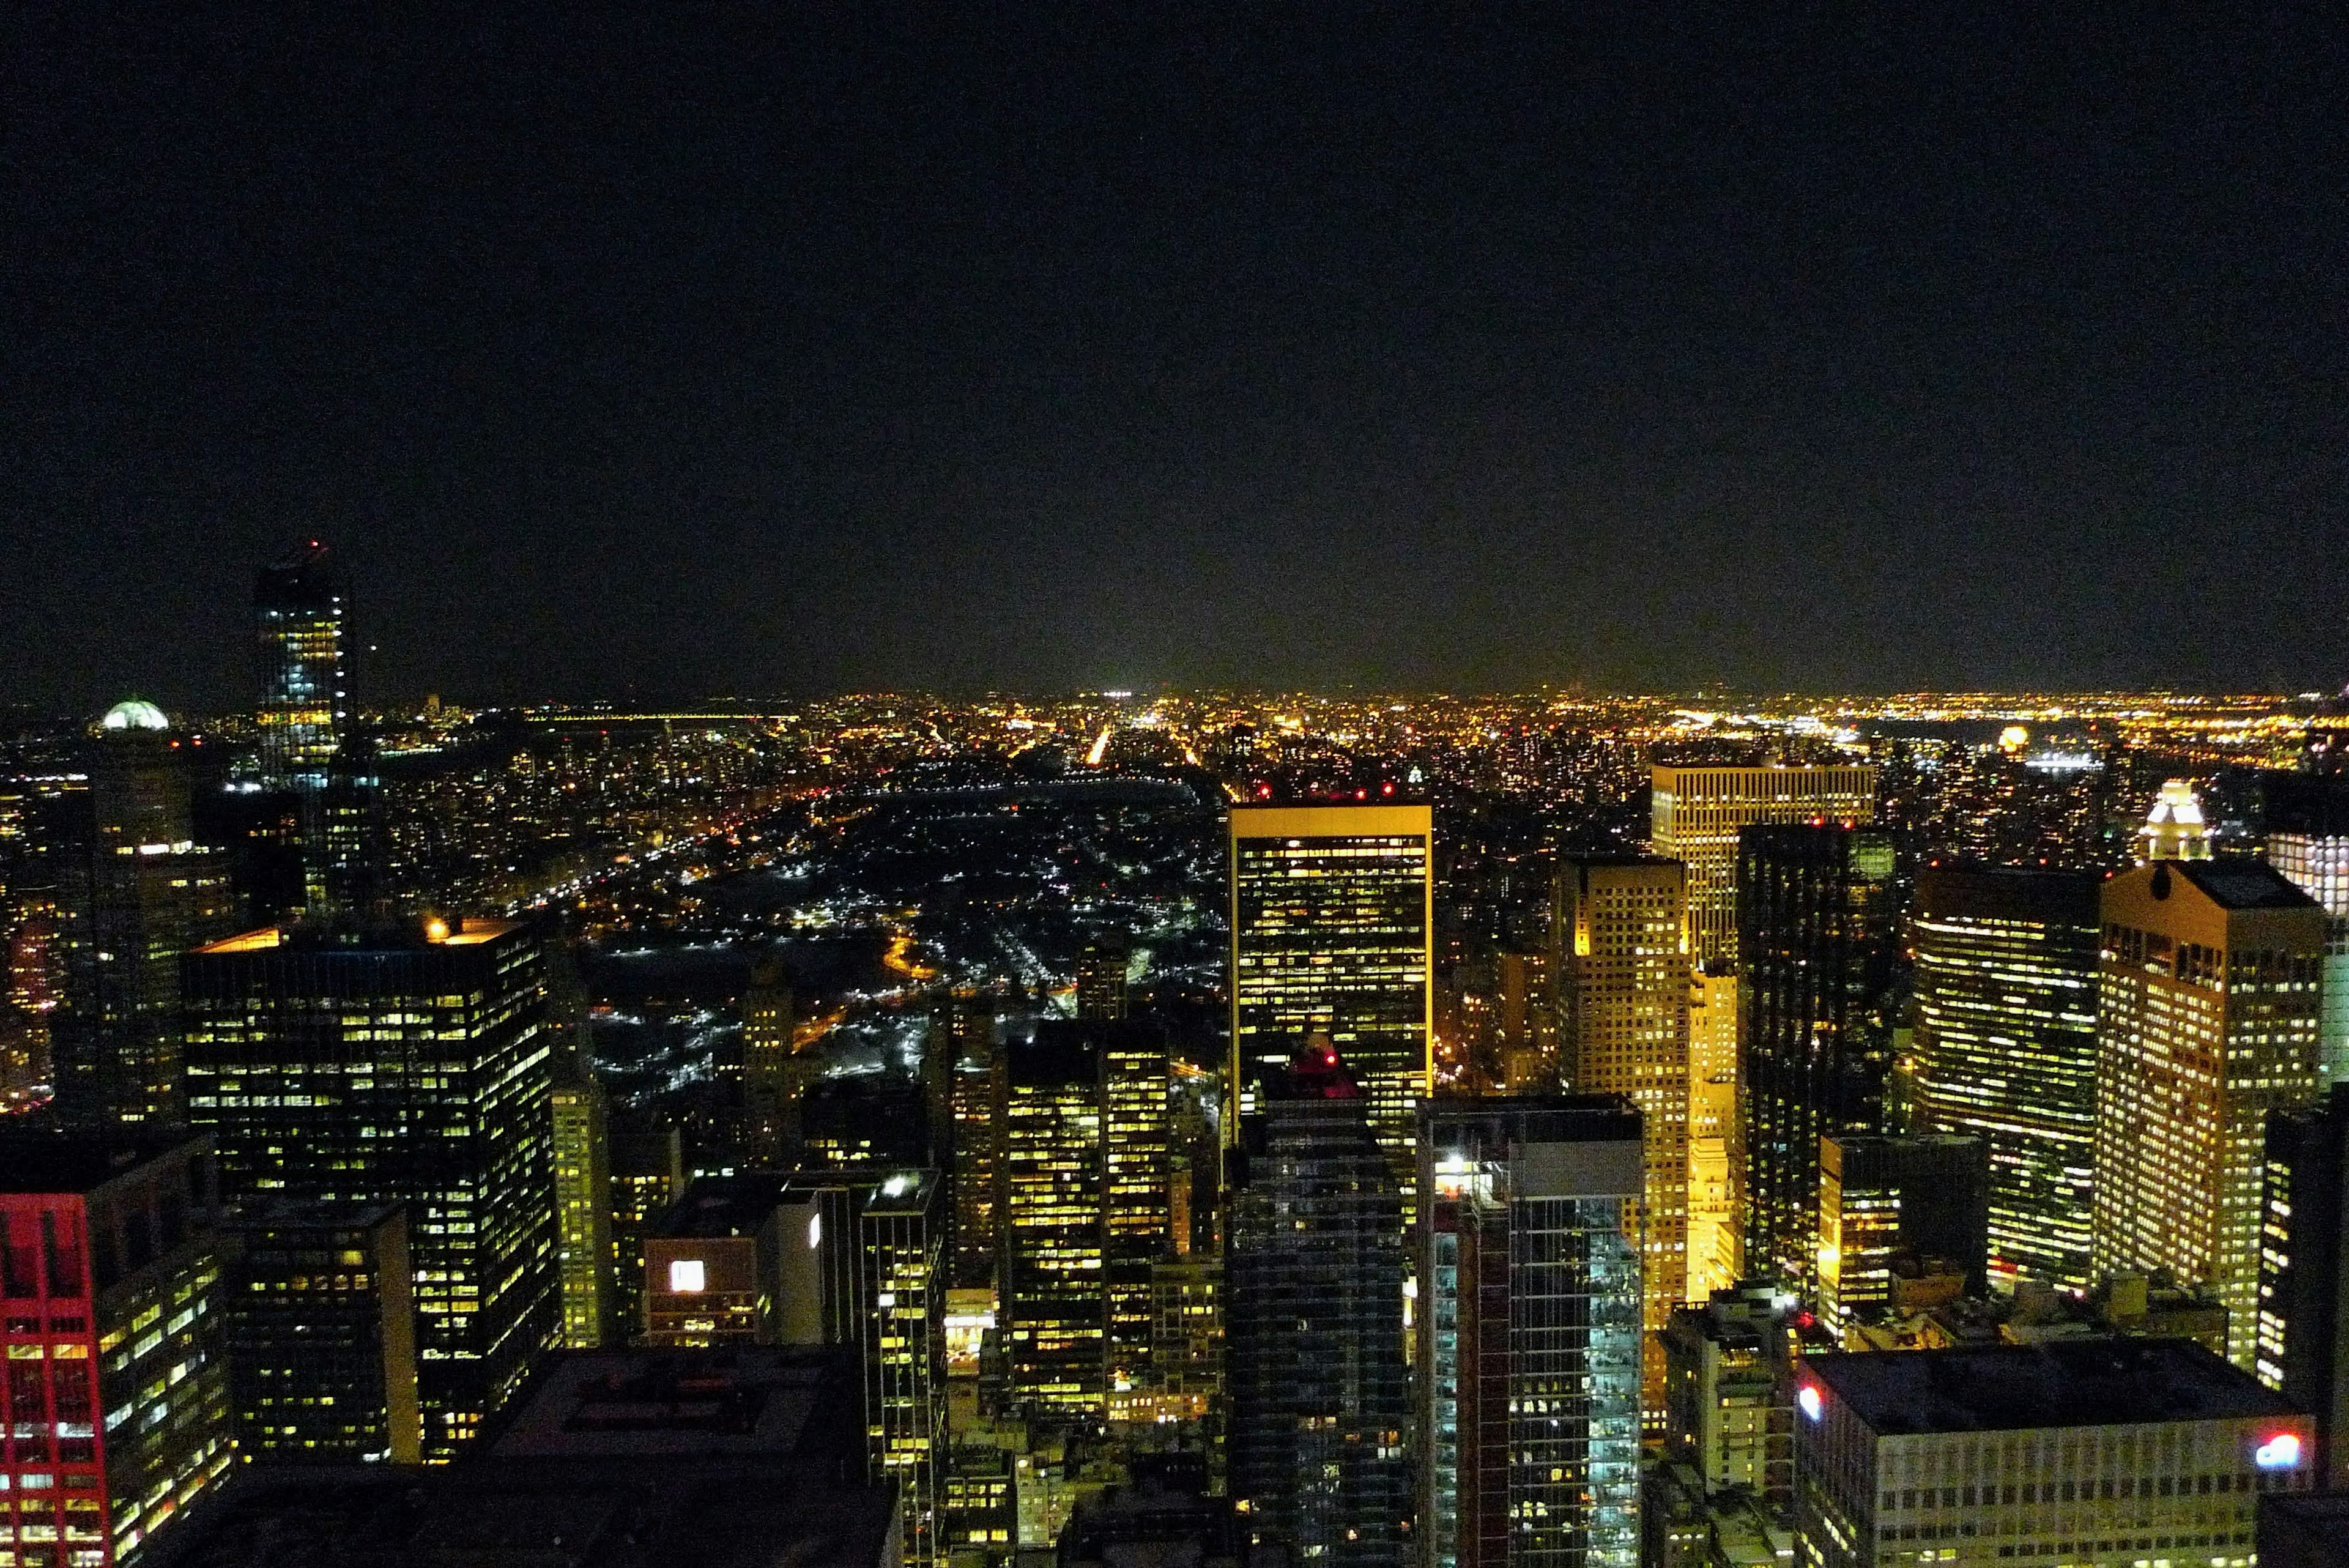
(2207, 1024)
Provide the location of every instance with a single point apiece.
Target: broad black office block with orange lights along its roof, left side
(398, 1066)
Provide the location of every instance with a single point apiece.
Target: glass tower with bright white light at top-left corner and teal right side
(1530, 1355)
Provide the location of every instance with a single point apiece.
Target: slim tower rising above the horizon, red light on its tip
(299, 636)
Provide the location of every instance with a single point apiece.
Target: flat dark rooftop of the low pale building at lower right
(2068, 1383)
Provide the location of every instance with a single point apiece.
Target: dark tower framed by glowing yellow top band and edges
(1331, 934)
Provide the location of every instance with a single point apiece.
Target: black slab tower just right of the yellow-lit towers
(1819, 934)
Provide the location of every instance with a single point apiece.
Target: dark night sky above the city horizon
(767, 349)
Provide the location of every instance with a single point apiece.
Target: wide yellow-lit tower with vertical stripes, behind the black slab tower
(1702, 810)
